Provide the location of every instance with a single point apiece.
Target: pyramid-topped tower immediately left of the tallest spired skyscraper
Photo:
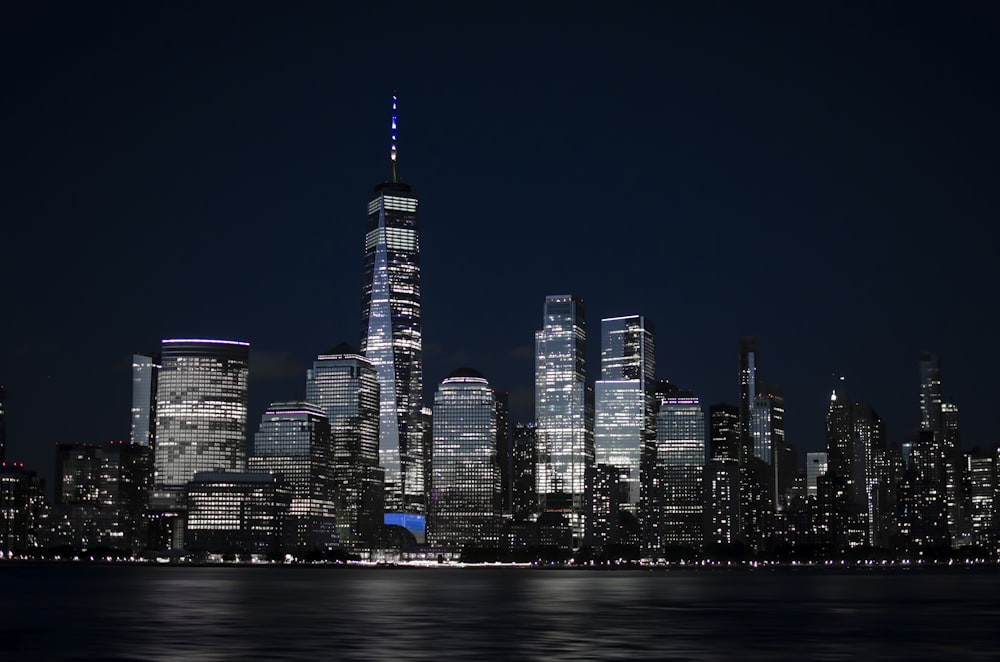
(345, 386)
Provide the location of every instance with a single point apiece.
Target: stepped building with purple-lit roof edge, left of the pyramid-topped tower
(294, 441)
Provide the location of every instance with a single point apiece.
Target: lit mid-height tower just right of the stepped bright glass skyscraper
(680, 469)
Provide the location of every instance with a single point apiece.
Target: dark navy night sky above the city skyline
(821, 175)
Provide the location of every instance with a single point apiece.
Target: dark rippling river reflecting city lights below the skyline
(103, 612)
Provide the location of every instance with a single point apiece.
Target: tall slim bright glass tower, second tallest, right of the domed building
(565, 441)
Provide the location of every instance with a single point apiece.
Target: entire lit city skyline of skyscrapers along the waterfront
(624, 464)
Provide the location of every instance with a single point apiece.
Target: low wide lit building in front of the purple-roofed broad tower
(236, 513)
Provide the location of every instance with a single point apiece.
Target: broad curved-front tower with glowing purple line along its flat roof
(201, 417)
